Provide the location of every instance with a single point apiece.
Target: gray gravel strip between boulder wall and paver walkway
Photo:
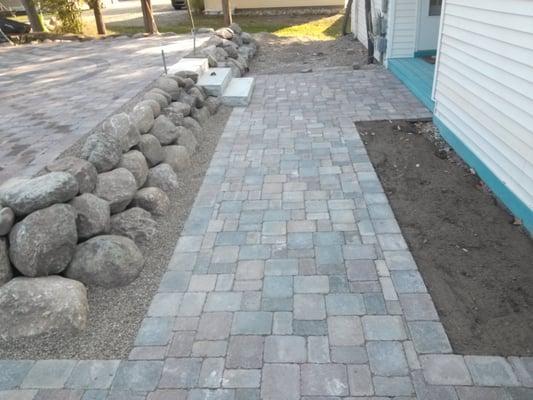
(116, 314)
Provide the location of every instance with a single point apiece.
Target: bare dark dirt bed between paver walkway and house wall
(475, 262)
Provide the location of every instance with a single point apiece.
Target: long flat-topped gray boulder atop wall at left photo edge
(27, 195)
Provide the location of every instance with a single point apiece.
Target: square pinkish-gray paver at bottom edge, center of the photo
(281, 382)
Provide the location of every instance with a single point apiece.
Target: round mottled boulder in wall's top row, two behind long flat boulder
(102, 150)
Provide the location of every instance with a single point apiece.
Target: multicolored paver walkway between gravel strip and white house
(291, 279)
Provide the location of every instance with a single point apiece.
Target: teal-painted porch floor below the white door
(417, 76)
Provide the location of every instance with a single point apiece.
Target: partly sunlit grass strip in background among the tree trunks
(312, 26)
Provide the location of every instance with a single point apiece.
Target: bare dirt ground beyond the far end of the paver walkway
(297, 54)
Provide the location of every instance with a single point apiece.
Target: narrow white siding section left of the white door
(402, 28)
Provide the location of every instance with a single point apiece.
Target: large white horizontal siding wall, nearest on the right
(484, 85)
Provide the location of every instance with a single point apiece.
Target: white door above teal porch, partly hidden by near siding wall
(428, 24)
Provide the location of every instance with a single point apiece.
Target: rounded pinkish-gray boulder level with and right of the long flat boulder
(117, 187)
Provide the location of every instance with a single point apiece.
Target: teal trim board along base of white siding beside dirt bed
(500, 189)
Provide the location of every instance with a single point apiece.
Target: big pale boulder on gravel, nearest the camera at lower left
(31, 307)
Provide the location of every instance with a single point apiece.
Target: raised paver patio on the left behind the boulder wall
(52, 94)
